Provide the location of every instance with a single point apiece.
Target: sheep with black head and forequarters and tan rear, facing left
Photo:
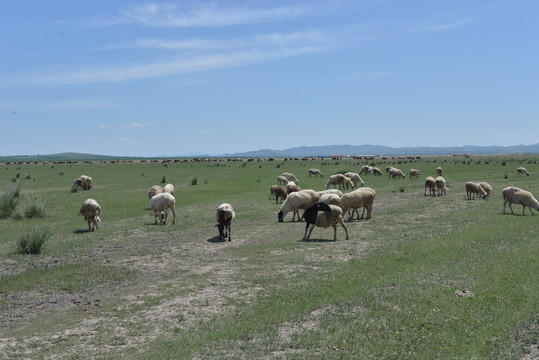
(330, 216)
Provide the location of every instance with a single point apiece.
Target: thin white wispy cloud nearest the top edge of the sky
(199, 15)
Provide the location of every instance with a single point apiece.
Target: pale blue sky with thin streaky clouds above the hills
(186, 77)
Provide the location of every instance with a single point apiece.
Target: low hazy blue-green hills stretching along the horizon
(308, 151)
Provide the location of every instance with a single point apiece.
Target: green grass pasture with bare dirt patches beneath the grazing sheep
(139, 291)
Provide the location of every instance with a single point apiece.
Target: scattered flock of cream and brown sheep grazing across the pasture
(320, 208)
